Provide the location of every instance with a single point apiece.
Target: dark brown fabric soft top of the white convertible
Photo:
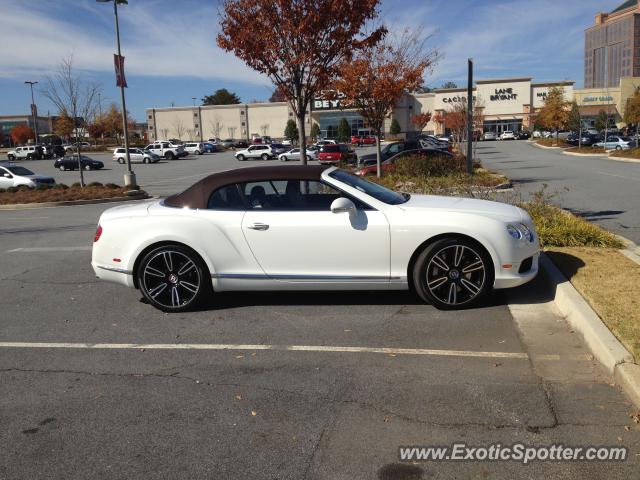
(197, 195)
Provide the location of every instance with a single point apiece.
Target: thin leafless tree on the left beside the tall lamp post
(71, 94)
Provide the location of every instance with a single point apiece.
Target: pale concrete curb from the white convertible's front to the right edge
(606, 348)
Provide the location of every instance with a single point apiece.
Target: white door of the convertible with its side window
(295, 237)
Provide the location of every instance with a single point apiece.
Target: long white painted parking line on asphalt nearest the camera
(295, 348)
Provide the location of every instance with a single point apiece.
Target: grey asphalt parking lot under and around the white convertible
(97, 384)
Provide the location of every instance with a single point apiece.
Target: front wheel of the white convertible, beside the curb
(453, 288)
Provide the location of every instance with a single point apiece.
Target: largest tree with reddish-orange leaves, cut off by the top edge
(298, 44)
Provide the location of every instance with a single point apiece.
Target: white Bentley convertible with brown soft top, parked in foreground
(312, 228)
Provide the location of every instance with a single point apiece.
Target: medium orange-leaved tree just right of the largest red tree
(376, 79)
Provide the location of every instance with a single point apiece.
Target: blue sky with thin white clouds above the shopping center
(171, 54)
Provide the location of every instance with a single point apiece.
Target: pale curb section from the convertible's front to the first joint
(604, 345)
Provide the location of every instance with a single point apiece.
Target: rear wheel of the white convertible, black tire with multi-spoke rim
(164, 286)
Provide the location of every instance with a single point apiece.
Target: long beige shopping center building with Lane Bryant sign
(504, 104)
